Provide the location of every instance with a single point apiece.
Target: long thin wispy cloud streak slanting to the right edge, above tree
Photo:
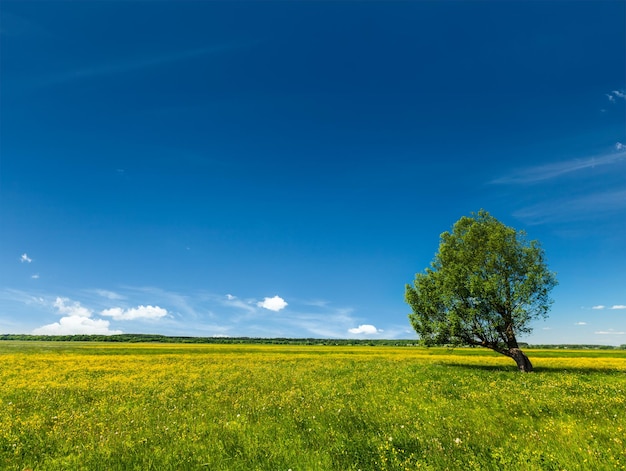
(546, 172)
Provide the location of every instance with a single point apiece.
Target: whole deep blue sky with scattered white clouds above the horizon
(283, 169)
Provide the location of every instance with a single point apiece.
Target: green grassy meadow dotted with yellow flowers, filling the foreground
(231, 407)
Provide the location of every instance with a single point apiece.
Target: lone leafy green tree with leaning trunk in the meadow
(483, 288)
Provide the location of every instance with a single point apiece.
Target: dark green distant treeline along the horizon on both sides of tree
(145, 338)
